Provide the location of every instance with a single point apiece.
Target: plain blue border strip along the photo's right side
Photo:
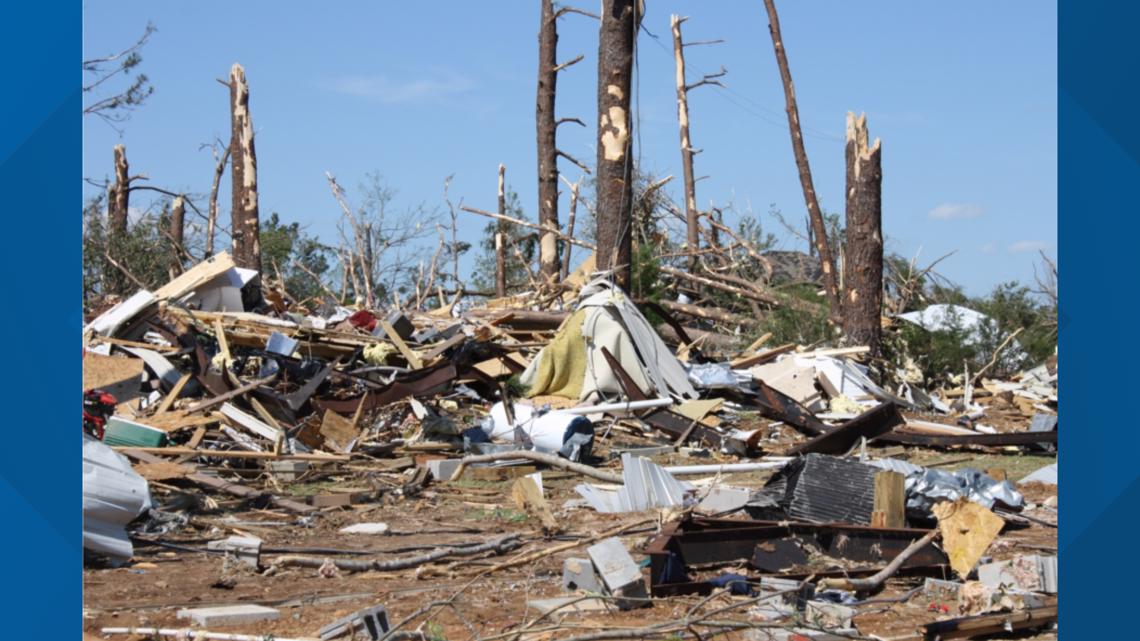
(1100, 171)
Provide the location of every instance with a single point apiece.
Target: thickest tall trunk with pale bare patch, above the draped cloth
(617, 35)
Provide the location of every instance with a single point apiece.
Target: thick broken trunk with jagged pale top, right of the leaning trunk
(864, 259)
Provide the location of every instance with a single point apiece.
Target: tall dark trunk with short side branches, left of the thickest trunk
(548, 145)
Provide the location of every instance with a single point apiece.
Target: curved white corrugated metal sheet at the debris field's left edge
(113, 496)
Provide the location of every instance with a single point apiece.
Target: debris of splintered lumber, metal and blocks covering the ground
(266, 469)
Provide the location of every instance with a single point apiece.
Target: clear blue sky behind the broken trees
(963, 95)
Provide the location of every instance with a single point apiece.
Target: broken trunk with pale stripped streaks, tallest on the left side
(245, 175)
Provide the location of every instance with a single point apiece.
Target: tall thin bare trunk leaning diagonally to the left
(805, 172)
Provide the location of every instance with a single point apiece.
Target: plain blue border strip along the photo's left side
(40, 174)
